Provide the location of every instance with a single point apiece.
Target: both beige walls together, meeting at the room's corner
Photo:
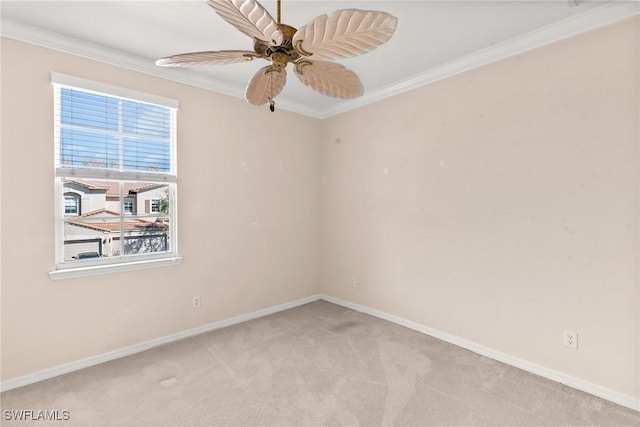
(499, 206)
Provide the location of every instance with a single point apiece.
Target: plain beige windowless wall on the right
(500, 206)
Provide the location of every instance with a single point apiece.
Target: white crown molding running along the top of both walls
(591, 18)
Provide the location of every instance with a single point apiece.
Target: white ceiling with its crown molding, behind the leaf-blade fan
(434, 39)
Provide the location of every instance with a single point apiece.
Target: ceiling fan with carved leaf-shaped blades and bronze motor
(340, 34)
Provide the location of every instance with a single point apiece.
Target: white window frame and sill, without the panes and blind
(64, 270)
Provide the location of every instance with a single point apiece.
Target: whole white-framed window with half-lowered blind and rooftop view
(114, 148)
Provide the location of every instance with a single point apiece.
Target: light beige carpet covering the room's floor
(315, 365)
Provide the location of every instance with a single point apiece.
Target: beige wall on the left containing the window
(248, 220)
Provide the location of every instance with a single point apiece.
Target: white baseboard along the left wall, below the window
(137, 348)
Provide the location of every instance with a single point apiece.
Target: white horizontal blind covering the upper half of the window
(102, 135)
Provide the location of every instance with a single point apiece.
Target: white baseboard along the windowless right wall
(582, 385)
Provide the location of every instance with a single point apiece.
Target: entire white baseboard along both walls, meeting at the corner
(596, 390)
